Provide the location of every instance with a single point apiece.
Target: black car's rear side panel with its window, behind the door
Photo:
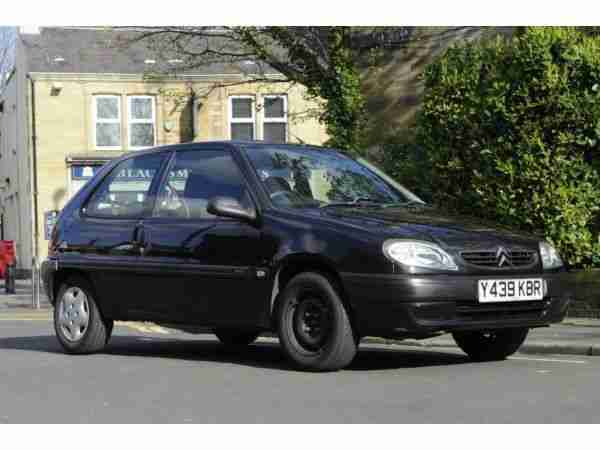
(105, 242)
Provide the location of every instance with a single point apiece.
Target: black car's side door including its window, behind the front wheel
(202, 268)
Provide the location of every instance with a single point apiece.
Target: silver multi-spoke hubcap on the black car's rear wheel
(74, 314)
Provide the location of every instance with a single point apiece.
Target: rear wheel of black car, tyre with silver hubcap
(78, 323)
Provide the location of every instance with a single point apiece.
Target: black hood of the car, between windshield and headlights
(428, 223)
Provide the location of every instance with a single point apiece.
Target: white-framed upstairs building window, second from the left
(142, 119)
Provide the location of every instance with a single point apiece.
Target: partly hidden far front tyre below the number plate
(493, 345)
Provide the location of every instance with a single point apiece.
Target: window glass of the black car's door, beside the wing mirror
(194, 178)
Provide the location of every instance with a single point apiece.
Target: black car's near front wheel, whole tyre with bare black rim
(314, 326)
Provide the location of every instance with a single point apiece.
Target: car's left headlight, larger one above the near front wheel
(418, 254)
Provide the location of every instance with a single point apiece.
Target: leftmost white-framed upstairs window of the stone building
(107, 122)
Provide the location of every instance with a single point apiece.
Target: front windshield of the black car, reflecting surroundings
(301, 177)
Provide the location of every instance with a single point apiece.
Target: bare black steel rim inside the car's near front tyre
(312, 323)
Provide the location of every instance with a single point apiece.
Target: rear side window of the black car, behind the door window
(124, 193)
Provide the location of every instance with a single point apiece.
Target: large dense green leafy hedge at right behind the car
(511, 129)
